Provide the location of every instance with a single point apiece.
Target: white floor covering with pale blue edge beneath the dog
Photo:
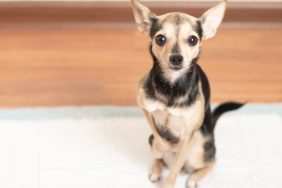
(105, 147)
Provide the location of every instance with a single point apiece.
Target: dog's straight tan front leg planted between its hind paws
(179, 161)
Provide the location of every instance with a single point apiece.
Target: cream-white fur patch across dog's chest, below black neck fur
(180, 121)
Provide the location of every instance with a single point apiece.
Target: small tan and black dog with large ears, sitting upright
(175, 94)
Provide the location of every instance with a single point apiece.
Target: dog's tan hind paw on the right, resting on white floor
(192, 181)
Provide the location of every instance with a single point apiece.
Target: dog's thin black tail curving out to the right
(222, 108)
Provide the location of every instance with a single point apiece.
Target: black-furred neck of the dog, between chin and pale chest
(158, 87)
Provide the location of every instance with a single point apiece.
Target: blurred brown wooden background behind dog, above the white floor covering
(57, 53)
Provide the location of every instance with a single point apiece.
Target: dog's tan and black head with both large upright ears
(176, 37)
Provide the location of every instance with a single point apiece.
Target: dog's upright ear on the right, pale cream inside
(212, 19)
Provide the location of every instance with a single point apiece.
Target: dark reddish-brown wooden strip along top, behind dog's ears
(120, 12)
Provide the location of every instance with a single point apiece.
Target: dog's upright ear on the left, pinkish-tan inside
(143, 16)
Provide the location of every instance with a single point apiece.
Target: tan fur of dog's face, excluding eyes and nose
(176, 27)
